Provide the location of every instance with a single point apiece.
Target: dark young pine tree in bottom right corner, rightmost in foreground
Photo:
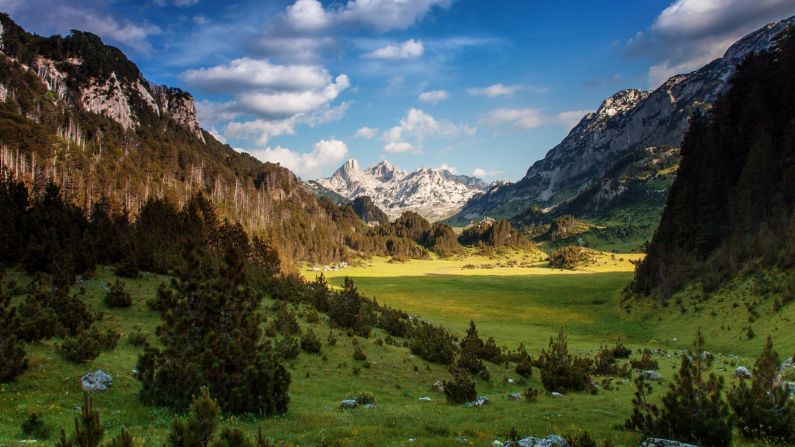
(764, 409)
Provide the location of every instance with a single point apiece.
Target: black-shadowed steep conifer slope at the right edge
(731, 205)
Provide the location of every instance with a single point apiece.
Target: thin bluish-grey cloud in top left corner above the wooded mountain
(57, 16)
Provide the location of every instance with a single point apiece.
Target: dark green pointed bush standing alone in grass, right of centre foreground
(560, 371)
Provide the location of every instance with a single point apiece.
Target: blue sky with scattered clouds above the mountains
(480, 88)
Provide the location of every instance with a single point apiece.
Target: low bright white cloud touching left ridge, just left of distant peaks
(326, 154)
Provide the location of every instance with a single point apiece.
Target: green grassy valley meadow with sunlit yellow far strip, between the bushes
(510, 302)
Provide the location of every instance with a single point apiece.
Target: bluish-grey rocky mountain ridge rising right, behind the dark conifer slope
(631, 121)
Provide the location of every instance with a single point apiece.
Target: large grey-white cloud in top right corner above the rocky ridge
(690, 33)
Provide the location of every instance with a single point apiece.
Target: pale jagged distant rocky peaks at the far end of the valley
(432, 193)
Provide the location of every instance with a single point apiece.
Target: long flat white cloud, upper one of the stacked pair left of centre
(246, 73)
